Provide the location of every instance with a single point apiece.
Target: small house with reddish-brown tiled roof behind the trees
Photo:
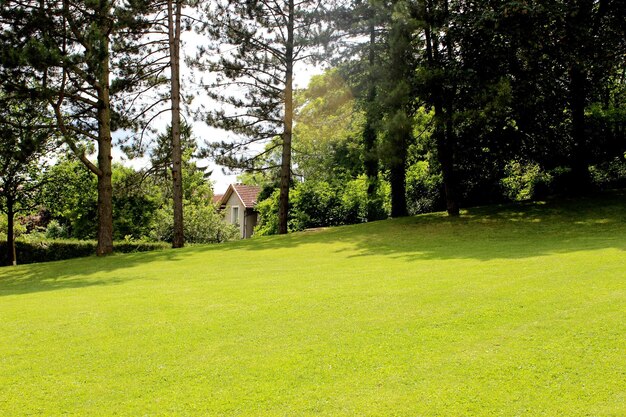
(238, 205)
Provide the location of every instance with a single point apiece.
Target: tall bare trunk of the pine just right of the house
(285, 171)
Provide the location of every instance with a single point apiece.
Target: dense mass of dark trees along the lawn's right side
(533, 81)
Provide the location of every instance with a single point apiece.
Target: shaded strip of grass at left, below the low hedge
(79, 272)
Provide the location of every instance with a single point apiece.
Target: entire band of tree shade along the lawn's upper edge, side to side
(484, 233)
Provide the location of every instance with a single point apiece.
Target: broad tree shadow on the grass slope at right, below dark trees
(510, 231)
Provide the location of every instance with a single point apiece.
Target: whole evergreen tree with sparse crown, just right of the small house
(257, 45)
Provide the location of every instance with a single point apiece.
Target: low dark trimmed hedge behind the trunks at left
(56, 250)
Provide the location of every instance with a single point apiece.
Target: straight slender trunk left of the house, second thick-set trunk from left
(174, 29)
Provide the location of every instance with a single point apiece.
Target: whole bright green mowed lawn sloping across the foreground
(507, 311)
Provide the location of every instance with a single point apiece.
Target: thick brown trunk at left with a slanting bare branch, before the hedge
(105, 186)
